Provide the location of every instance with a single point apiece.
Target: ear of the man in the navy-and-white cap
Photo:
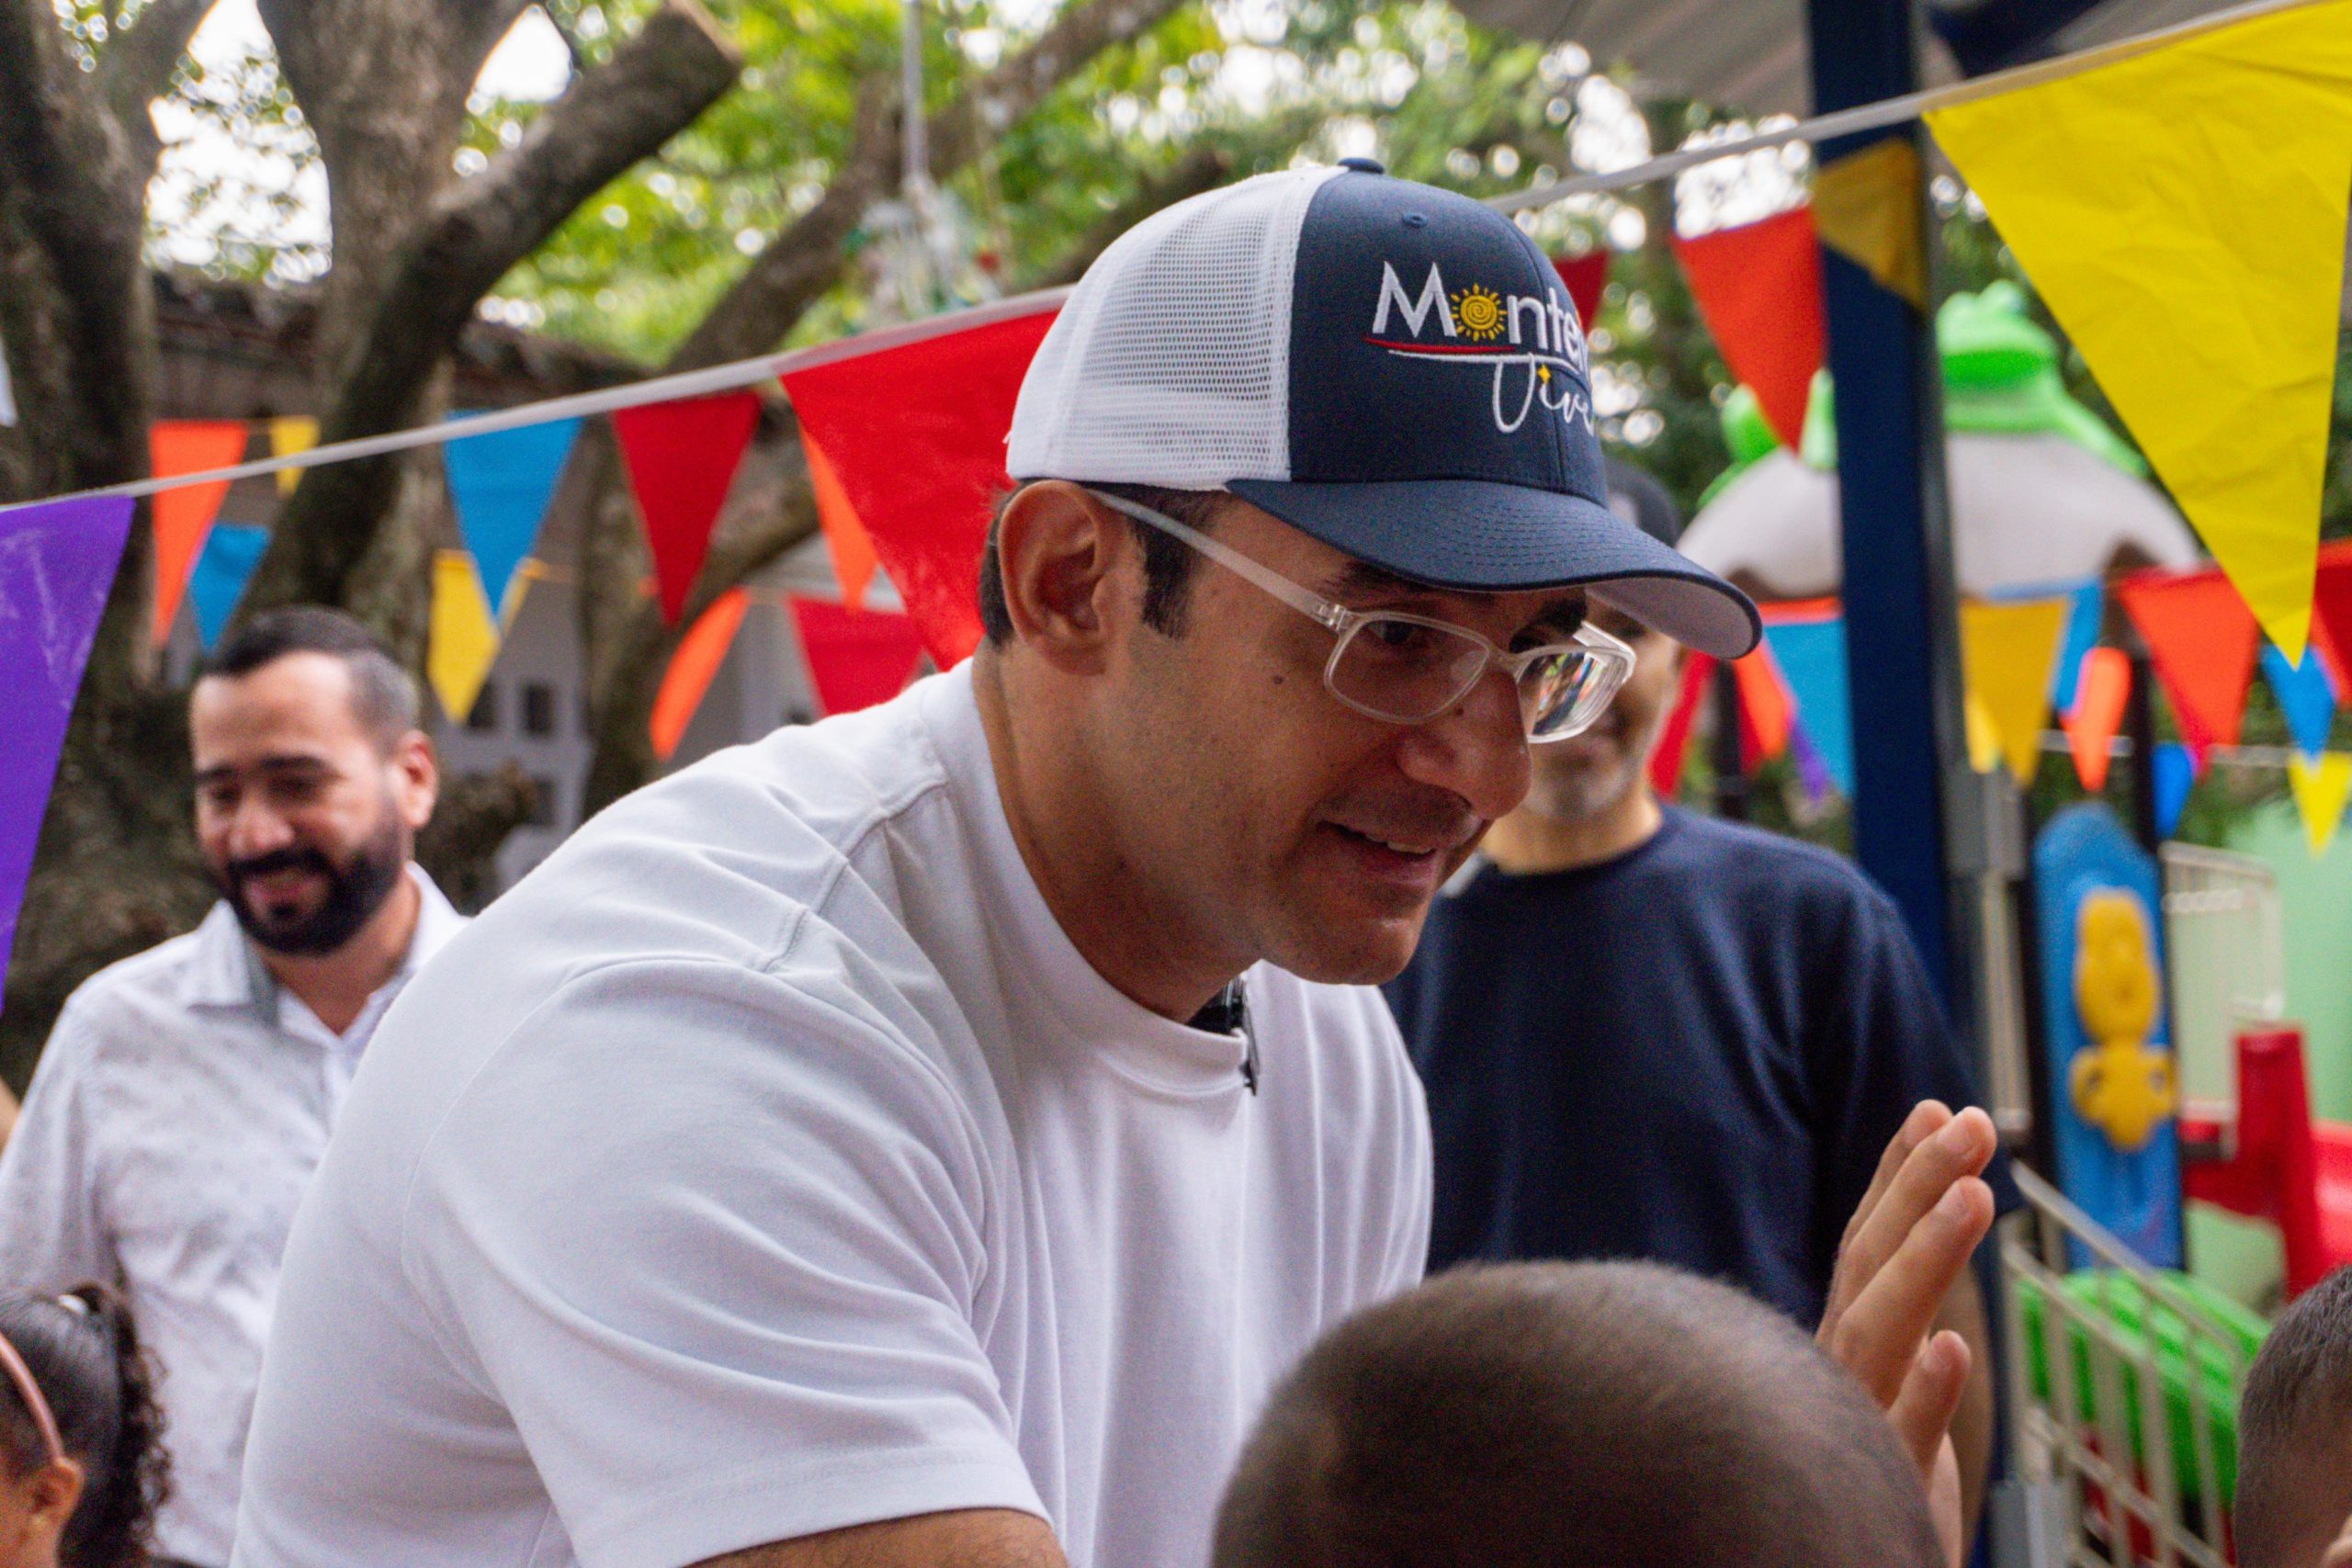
(1062, 558)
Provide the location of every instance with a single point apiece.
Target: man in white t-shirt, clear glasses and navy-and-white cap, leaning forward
(926, 1137)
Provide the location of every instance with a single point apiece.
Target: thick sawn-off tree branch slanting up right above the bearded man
(653, 88)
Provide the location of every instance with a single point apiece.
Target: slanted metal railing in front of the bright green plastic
(2097, 1447)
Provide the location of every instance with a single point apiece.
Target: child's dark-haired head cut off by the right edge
(2294, 1433)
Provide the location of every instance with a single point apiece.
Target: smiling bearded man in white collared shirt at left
(187, 1094)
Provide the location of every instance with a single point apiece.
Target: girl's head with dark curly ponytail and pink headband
(81, 1440)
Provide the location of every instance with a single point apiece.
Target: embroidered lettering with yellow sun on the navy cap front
(1542, 335)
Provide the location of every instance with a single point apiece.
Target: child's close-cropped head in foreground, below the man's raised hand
(1572, 1414)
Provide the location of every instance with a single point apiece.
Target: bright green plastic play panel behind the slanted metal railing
(2123, 1304)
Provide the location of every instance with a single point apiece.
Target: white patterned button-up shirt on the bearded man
(178, 1115)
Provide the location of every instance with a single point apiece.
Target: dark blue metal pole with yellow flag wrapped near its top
(1902, 605)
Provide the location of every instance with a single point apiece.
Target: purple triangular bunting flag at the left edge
(58, 565)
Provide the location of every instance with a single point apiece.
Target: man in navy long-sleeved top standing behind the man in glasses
(1659, 1036)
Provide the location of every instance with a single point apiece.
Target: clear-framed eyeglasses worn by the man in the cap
(1410, 669)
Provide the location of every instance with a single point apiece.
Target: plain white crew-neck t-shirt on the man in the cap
(770, 1162)
